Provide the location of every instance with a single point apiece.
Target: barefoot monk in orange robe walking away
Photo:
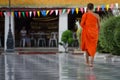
(90, 24)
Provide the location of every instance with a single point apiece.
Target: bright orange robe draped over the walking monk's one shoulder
(89, 34)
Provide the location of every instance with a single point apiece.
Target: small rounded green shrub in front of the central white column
(67, 39)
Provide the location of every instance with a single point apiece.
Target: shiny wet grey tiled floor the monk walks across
(57, 67)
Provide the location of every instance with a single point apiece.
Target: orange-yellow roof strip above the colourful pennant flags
(54, 3)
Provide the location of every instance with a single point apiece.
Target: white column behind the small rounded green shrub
(63, 25)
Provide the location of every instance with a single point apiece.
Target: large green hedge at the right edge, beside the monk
(109, 39)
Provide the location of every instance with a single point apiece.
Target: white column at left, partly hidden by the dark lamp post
(7, 27)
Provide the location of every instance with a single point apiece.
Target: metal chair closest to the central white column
(53, 39)
